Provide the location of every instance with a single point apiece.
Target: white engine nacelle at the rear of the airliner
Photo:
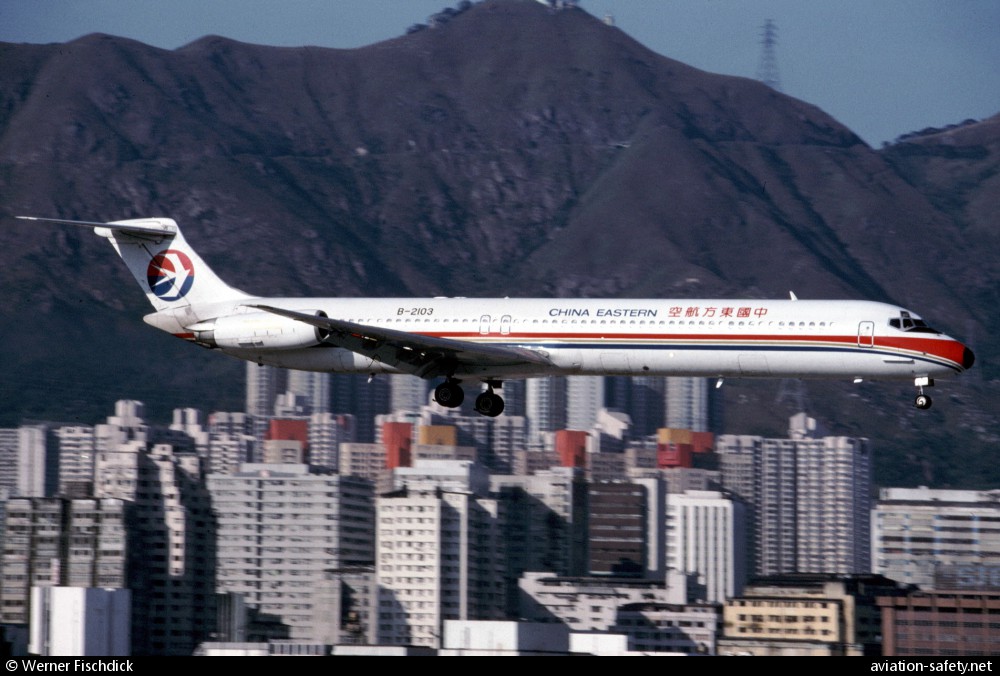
(258, 330)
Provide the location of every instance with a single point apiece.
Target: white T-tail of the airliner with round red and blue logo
(172, 275)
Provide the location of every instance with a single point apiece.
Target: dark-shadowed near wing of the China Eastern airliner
(423, 356)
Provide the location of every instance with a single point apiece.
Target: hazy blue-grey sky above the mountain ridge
(881, 67)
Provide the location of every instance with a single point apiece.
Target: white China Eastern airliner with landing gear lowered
(491, 340)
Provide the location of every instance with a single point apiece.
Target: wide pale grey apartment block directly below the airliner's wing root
(281, 528)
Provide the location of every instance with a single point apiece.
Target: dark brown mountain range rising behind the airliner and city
(511, 150)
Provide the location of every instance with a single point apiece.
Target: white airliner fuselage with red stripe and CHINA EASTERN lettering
(689, 337)
